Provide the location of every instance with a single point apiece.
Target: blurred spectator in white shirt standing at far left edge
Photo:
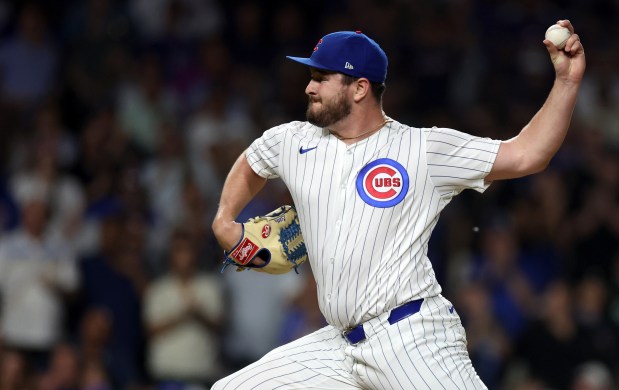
(37, 273)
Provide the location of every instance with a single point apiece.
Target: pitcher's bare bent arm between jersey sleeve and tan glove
(241, 185)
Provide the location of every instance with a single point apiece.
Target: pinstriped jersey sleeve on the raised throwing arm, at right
(457, 161)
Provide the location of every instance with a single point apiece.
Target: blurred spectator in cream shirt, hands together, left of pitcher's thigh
(183, 310)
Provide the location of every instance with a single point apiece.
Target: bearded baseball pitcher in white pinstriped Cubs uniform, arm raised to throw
(368, 190)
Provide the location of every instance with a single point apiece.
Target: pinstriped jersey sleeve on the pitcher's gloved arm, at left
(263, 155)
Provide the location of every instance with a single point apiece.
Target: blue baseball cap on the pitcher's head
(349, 52)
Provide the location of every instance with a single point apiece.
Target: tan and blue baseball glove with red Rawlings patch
(275, 238)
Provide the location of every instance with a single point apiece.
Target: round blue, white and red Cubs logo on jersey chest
(382, 183)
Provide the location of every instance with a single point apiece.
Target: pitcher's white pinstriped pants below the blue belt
(426, 351)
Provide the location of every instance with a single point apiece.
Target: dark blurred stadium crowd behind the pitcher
(119, 121)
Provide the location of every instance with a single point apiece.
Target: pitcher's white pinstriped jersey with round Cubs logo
(367, 209)
